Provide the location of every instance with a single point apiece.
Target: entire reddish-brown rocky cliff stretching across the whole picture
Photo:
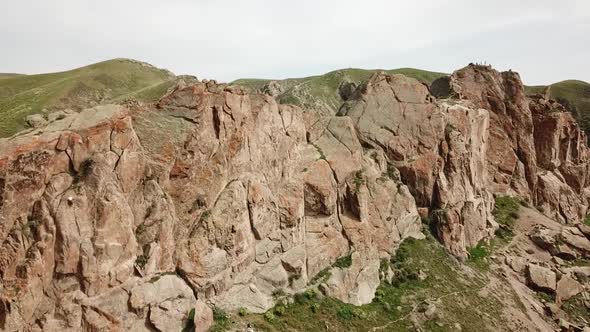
(127, 217)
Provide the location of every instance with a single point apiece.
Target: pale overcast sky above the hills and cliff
(545, 40)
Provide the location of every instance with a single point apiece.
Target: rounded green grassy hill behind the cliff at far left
(103, 82)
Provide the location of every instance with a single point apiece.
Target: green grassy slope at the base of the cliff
(461, 297)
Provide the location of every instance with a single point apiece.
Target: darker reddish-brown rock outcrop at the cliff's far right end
(536, 150)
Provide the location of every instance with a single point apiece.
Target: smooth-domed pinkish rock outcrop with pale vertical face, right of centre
(439, 149)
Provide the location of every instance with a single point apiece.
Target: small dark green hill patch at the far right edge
(574, 95)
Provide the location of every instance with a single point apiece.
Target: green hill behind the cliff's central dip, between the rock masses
(321, 93)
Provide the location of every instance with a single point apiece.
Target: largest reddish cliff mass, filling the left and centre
(213, 195)
